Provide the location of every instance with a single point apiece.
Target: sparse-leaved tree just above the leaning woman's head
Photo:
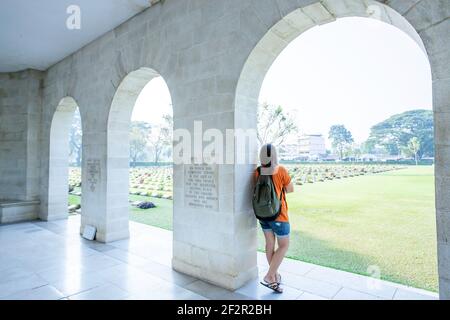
(274, 124)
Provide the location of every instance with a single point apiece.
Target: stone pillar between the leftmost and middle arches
(102, 205)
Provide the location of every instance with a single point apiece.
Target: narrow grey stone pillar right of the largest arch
(434, 36)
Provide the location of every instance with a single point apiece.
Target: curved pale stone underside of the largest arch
(293, 25)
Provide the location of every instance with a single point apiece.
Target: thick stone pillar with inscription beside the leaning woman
(214, 230)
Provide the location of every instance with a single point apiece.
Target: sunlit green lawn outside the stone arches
(385, 220)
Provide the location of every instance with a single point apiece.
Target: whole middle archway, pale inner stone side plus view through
(139, 152)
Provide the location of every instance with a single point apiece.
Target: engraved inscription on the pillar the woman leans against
(201, 186)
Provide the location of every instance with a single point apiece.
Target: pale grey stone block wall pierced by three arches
(213, 55)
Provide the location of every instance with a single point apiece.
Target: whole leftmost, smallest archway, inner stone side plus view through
(65, 149)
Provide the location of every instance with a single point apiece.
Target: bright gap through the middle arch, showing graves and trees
(151, 184)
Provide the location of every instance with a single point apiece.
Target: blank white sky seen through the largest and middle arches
(355, 71)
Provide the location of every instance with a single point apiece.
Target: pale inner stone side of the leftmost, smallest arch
(57, 197)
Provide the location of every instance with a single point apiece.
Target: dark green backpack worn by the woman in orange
(266, 205)
